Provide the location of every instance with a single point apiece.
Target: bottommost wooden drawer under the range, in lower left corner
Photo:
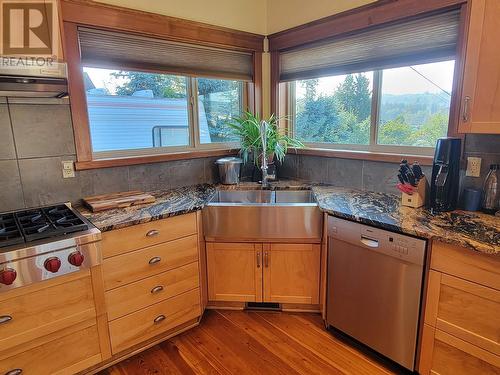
(65, 355)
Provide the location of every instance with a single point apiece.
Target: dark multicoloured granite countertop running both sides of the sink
(472, 230)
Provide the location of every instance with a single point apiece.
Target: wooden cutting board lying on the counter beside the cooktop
(117, 200)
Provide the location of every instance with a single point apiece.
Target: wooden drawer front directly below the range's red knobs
(43, 310)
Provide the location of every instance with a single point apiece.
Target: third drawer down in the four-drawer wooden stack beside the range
(154, 289)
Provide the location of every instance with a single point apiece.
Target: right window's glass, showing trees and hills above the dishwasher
(383, 110)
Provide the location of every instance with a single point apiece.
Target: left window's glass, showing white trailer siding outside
(132, 112)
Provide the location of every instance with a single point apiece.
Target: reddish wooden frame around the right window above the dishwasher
(356, 20)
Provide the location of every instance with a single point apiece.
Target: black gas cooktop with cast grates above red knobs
(40, 223)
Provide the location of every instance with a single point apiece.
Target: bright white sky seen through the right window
(401, 80)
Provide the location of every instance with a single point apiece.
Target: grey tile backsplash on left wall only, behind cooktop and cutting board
(36, 135)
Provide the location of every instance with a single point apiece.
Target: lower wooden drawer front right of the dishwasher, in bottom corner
(455, 357)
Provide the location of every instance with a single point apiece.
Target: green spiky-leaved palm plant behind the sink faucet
(247, 128)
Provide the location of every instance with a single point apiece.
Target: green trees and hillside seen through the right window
(345, 117)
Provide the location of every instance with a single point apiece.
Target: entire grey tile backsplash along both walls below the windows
(36, 135)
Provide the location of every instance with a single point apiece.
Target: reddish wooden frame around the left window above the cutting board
(75, 13)
